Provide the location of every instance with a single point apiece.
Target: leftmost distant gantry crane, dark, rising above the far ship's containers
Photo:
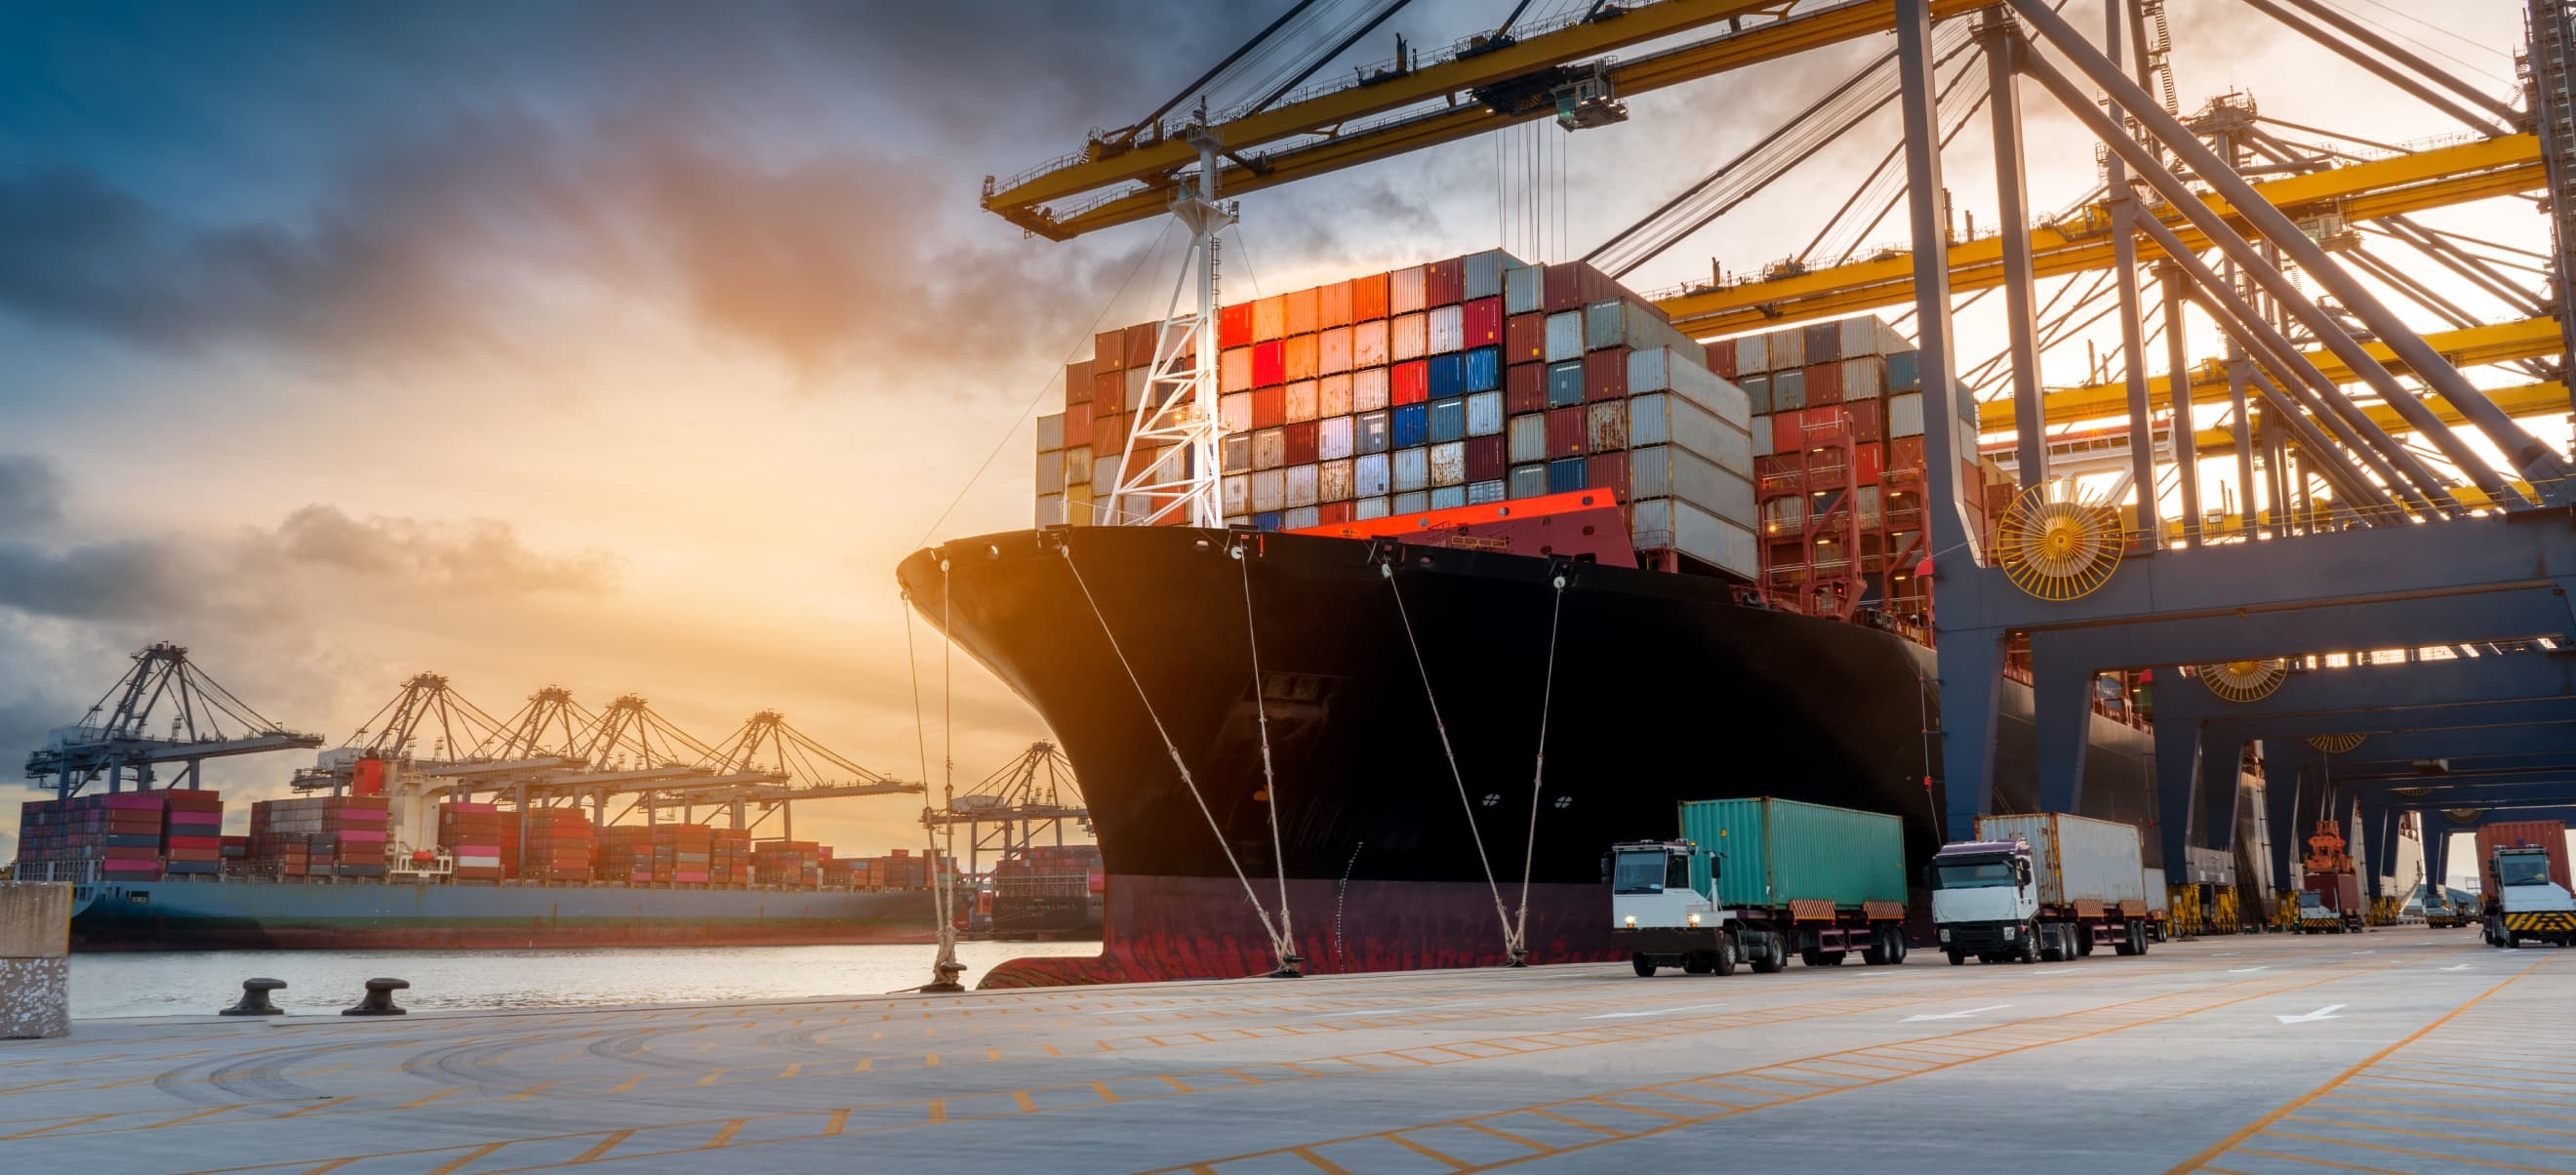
(164, 710)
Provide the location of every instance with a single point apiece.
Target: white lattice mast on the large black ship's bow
(1171, 463)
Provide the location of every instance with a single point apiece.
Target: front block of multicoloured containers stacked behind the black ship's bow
(1459, 383)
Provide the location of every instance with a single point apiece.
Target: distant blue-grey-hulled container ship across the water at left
(153, 872)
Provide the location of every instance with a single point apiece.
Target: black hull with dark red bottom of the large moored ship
(1665, 689)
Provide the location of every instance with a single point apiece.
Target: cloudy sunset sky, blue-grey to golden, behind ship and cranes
(630, 347)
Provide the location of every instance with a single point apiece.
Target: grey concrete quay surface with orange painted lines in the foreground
(2402, 1050)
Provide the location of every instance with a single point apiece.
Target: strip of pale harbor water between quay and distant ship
(318, 983)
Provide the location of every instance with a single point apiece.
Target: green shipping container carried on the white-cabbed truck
(1774, 852)
